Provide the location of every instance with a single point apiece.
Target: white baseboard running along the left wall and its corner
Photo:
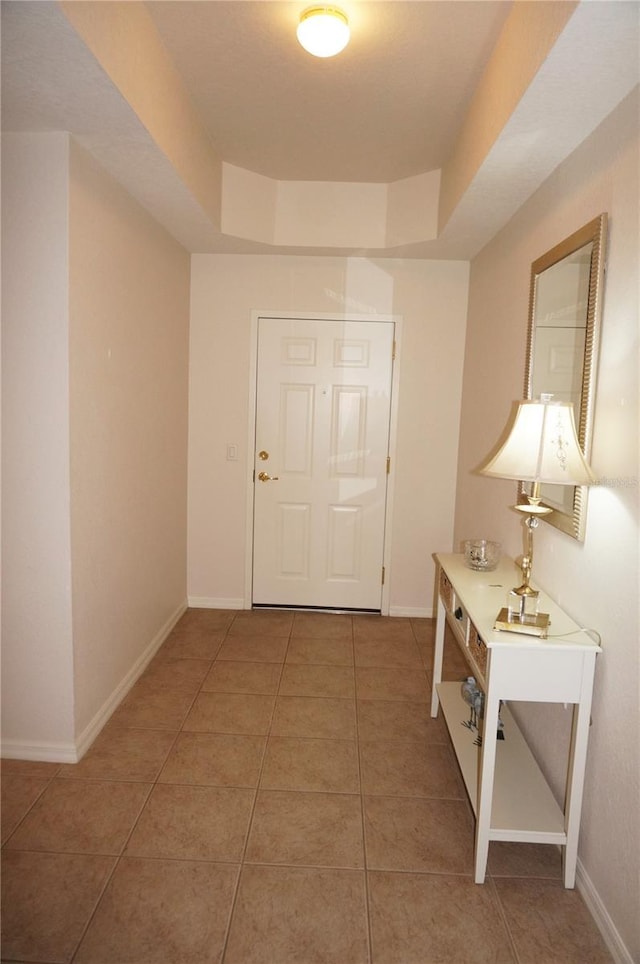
(73, 752)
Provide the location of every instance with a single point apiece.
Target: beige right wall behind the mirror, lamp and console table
(597, 582)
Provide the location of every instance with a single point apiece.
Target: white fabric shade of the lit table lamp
(542, 446)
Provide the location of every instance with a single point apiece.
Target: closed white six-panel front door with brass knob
(322, 438)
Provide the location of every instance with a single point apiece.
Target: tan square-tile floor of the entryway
(273, 791)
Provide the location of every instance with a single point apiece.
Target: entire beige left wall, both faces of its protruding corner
(95, 355)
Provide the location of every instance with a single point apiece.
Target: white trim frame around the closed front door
(251, 435)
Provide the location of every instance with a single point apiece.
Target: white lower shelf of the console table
(523, 807)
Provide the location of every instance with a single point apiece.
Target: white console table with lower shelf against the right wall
(508, 792)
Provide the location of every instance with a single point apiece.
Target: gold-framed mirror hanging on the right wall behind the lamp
(565, 300)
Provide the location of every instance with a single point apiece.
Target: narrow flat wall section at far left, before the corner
(37, 661)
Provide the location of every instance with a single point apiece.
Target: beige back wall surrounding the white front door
(430, 297)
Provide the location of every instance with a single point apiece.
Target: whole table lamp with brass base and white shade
(542, 447)
